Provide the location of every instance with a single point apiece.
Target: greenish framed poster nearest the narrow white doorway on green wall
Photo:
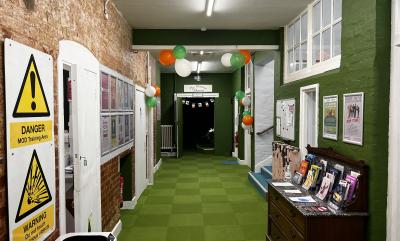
(330, 117)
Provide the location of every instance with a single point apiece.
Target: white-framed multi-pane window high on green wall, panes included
(313, 40)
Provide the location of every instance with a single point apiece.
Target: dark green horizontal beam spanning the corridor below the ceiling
(210, 37)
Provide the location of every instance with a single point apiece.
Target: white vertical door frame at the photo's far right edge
(393, 203)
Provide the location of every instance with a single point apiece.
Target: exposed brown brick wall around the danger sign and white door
(41, 25)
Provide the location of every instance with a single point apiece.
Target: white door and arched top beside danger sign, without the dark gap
(86, 134)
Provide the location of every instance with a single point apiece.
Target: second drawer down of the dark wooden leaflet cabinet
(287, 228)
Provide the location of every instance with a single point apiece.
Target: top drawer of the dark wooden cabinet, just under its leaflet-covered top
(288, 210)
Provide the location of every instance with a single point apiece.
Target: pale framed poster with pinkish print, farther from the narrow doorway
(353, 118)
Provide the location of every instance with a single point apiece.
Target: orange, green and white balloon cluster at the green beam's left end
(183, 67)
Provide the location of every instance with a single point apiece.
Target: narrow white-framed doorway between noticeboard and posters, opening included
(309, 96)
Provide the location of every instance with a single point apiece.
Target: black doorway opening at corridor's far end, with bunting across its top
(198, 124)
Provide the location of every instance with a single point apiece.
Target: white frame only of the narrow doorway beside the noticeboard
(304, 117)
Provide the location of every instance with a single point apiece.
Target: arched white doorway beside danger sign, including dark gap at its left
(79, 101)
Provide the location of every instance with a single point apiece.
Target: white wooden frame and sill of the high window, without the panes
(318, 68)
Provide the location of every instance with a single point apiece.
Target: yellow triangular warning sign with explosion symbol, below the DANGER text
(36, 193)
